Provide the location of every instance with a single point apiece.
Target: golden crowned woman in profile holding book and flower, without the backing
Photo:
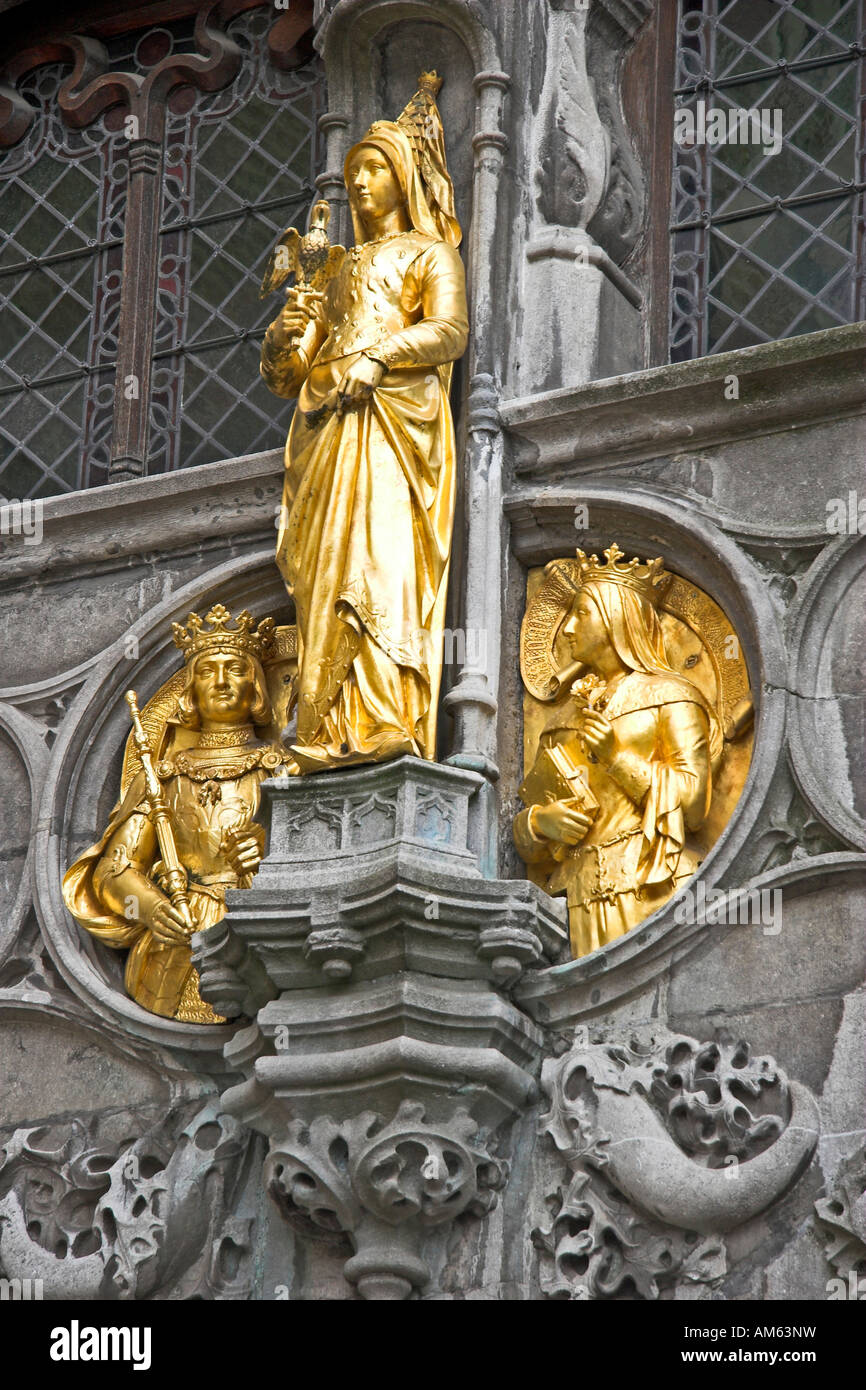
(625, 775)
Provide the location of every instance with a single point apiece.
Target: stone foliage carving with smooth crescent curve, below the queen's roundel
(644, 1132)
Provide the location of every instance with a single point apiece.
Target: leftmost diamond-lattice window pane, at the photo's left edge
(63, 216)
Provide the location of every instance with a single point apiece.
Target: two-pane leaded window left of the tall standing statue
(240, 166)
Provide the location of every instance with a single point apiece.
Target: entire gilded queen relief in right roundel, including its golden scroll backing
(637, 742)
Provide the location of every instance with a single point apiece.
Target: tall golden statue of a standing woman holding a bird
(369, 501)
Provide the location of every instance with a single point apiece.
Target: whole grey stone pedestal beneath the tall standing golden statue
(386, 1058)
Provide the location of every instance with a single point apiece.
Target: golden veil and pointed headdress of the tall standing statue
(415, 148)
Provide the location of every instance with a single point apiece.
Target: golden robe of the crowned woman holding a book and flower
(658, 789)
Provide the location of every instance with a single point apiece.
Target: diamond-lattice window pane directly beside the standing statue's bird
(229, 158)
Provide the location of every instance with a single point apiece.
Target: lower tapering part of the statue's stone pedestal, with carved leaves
(384, 1104)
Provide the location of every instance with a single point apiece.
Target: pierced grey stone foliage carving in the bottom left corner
(97, 1214)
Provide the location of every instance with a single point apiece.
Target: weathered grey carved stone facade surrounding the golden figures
(440, 1103)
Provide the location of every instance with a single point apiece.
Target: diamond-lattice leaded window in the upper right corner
(769, 245)
